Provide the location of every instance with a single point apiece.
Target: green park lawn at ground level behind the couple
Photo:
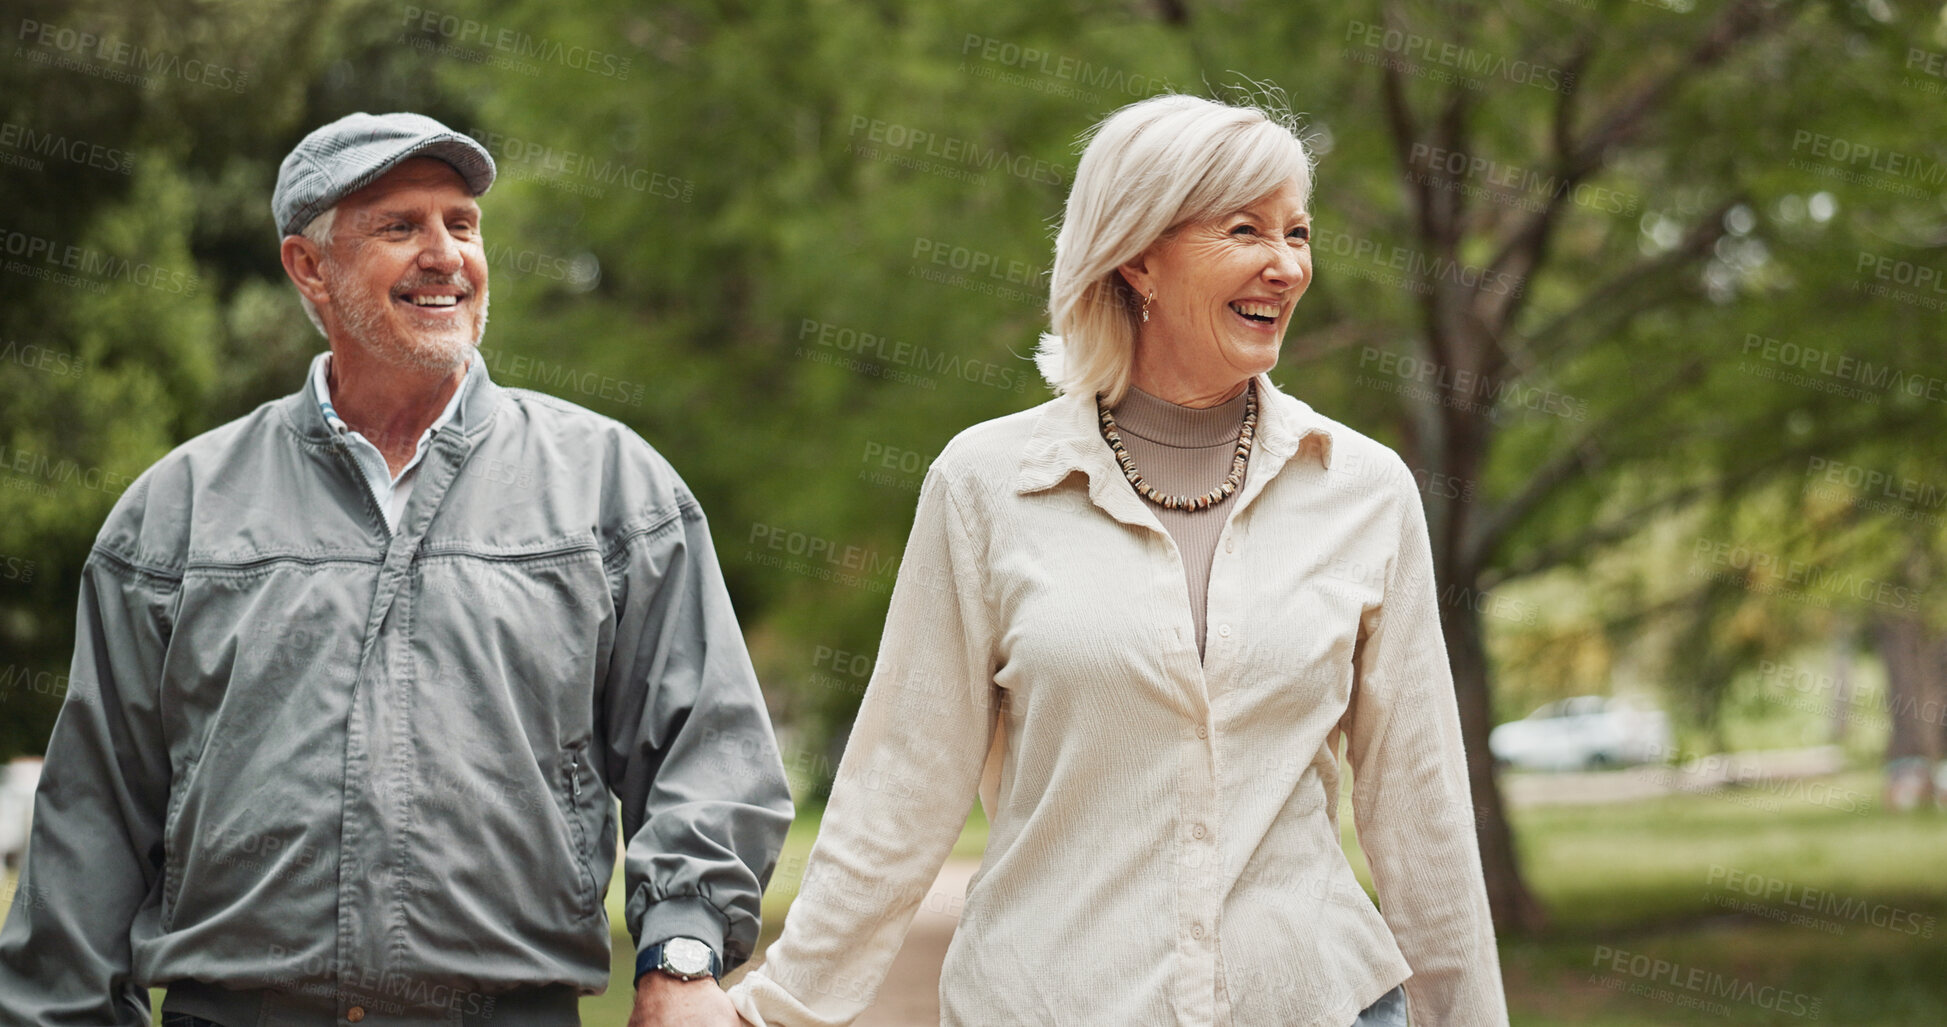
(1662, 880)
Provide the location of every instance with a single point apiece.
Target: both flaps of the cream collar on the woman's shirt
(1068, 437)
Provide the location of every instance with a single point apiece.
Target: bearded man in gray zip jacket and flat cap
(359, 673)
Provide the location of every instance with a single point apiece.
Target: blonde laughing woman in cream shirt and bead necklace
(1140, 623)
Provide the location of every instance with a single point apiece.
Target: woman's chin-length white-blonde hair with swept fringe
(1148, 171)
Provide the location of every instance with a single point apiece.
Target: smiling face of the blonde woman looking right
(1224, 293)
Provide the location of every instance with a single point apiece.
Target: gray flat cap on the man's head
(355, 151)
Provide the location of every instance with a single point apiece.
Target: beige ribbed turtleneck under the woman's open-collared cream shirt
(1185, 451)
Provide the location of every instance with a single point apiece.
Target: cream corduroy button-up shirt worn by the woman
(1165, 839)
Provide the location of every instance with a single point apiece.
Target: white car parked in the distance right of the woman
(1586, 732)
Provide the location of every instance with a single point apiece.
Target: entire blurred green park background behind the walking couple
(1648, 293)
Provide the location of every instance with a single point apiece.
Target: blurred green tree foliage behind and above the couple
(799, 247)
